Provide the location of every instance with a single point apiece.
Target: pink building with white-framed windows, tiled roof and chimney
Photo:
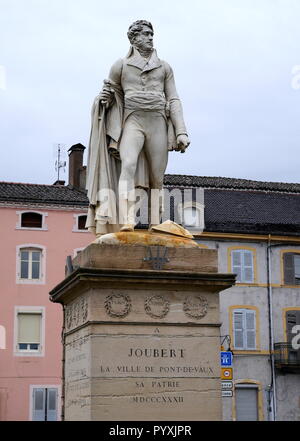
(40, 226)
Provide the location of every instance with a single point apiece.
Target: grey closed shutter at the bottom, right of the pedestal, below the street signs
(246, 398)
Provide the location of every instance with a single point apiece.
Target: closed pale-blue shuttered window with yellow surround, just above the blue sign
(244, 329)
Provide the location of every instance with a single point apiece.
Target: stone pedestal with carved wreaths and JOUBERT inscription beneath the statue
(142, 343)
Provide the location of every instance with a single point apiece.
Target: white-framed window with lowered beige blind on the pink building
(29, 331)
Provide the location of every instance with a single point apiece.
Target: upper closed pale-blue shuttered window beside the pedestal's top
(242, 264)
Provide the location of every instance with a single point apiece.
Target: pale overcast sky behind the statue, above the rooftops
(232, 59)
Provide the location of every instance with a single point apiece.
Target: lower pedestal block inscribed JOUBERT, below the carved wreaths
(159, 373)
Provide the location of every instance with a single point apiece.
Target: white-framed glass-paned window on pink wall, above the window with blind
(30, 264)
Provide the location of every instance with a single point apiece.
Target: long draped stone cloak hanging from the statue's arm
(104, 165)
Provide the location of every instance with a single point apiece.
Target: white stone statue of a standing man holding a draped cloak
(136, 120)
